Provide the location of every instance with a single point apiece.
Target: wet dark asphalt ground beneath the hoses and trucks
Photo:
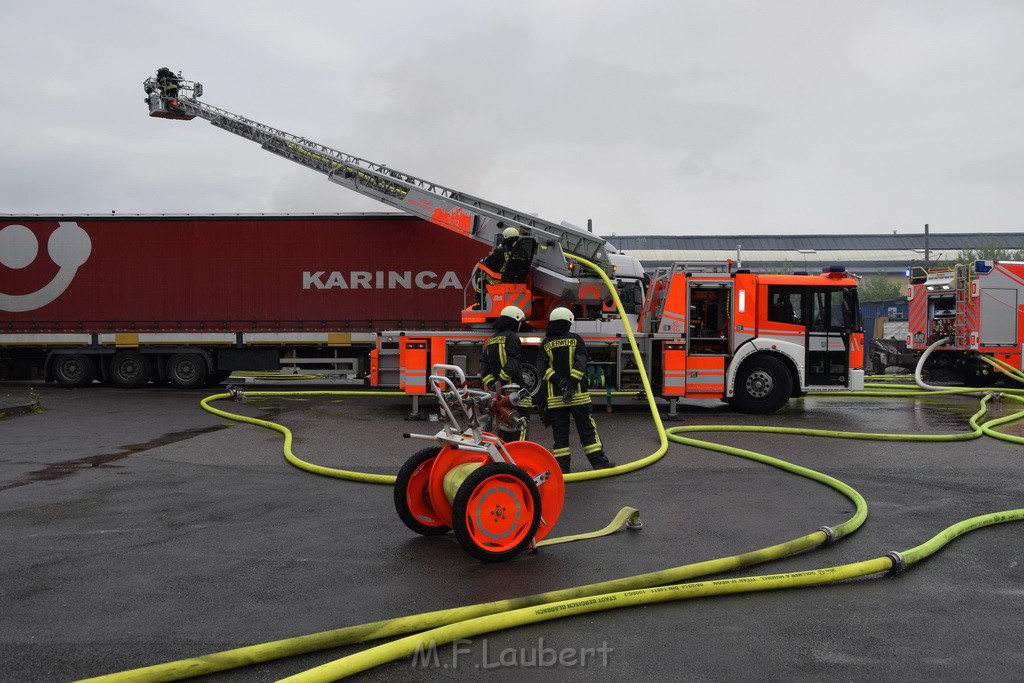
(137, 529)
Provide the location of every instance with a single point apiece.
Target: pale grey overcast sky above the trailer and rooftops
(667, 117)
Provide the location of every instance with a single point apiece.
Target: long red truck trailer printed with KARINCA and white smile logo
(188, 300)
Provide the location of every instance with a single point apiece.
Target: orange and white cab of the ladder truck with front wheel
(755, 340)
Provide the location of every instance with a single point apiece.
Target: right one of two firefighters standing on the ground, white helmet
(562, 365)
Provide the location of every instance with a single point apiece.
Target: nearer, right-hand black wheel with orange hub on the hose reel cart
(497, 513)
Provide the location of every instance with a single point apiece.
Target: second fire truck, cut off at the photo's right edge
(971, 314)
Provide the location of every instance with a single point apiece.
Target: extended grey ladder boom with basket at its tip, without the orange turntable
(174, 98)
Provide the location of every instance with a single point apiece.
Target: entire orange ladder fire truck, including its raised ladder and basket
(704, 330)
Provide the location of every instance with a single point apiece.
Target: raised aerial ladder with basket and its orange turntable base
(551, 277)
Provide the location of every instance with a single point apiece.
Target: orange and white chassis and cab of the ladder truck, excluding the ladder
(703, 330)
